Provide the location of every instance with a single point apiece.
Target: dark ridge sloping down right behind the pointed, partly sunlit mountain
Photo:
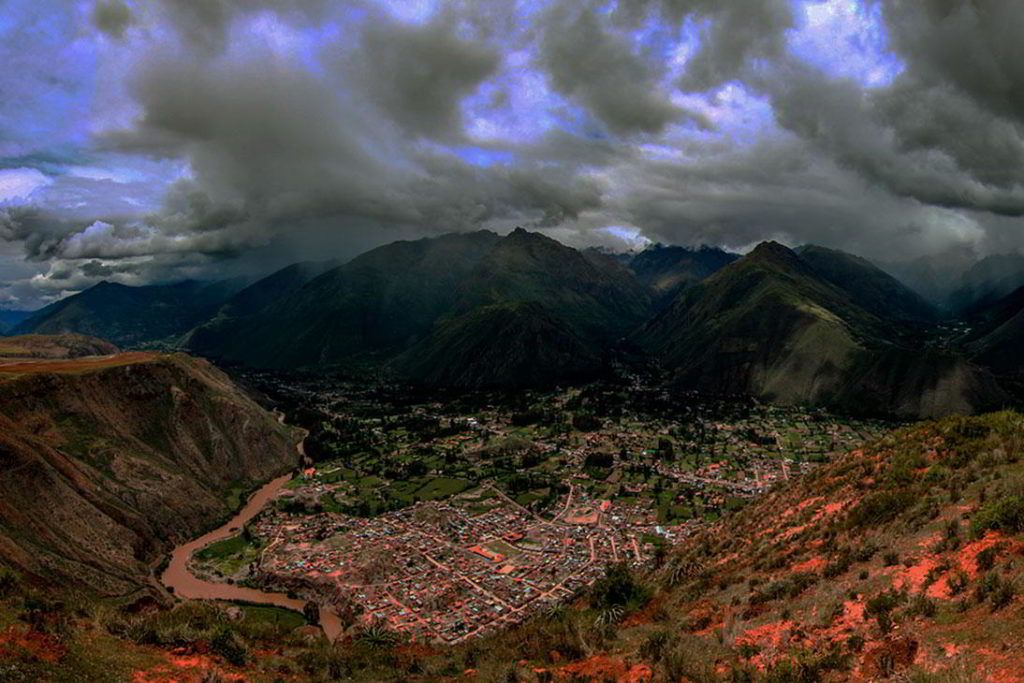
(869, 287)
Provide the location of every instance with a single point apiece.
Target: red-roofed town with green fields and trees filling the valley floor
(447, 517)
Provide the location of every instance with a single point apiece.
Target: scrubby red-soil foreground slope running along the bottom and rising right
(899, 563)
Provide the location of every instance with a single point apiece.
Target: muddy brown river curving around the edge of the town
(187, 586)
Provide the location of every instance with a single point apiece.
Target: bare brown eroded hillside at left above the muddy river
(109, 460)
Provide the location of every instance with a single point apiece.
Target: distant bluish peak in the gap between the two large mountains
(668, 271)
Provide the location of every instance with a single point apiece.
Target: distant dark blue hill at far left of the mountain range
(131, 317)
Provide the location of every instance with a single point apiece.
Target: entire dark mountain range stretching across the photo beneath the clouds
(809, 326)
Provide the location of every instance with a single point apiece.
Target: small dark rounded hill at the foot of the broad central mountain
(508, 345)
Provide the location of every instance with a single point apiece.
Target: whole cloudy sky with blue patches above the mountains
(154, 141)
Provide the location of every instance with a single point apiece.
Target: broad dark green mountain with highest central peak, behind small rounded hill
(386, 302)
